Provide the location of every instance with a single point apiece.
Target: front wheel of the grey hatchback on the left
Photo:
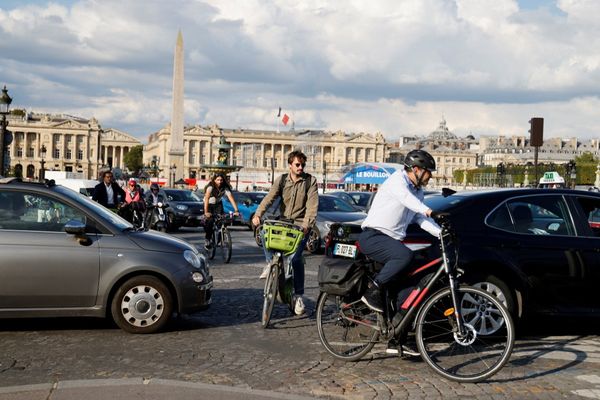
(143, 304)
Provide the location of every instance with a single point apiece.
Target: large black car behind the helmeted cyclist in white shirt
(538, 250)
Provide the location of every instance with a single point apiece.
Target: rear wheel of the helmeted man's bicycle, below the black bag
(347, 330)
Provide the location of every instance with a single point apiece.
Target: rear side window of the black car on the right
(534, 215)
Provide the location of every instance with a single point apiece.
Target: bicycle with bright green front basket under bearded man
(283, 238)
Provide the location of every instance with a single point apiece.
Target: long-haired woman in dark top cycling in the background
(213, 204)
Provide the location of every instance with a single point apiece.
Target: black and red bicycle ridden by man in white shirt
(450, 321)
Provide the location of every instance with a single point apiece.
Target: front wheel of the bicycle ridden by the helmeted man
(473, 355)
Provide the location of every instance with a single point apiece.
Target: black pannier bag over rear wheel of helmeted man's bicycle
(339, 276)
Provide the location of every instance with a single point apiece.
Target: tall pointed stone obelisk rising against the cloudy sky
(176, 151)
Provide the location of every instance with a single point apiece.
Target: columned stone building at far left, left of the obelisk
(72, 144)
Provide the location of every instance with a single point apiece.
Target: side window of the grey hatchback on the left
(30, 211)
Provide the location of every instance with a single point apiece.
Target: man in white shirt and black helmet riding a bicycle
(398, 203)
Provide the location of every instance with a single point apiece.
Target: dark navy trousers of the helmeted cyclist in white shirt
(391, 252)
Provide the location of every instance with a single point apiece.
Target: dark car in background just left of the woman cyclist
(185, 208)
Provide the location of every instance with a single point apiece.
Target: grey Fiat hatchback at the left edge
(62, 255)
